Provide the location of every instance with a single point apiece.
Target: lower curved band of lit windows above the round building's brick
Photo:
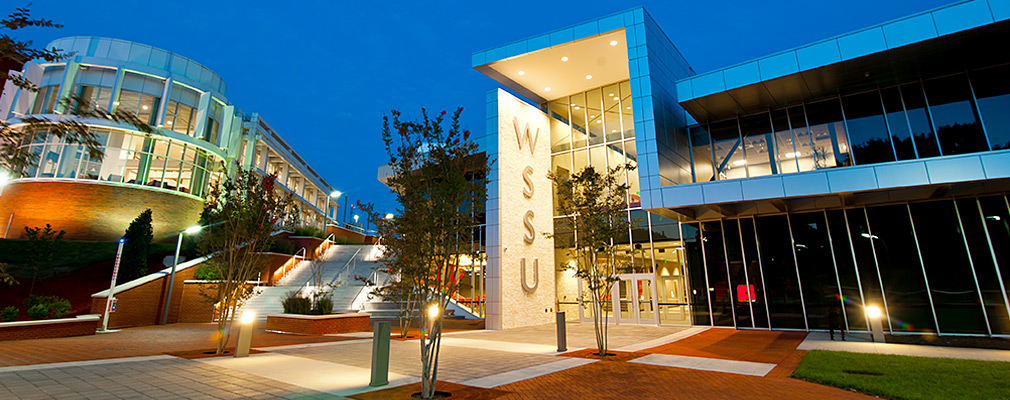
(130, 159)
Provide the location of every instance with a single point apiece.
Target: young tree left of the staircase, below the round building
(245, 212)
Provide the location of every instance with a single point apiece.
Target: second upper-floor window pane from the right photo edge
(954, 116)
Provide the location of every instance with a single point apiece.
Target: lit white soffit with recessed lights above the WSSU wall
(562, 70)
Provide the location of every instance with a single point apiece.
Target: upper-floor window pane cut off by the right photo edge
(992, 92)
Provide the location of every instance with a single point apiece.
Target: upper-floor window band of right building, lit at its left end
(955, 115)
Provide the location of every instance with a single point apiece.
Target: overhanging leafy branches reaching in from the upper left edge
(14, 157)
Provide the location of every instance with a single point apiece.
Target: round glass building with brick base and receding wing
(200, 136)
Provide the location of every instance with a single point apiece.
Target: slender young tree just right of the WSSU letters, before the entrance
(595, 208)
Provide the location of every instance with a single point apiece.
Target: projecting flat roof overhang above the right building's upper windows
(762, 84)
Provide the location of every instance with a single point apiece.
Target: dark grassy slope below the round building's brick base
(70, 256)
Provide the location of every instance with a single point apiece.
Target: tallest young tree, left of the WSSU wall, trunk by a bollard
(440, 181)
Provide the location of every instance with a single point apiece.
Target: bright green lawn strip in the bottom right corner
(902, 377)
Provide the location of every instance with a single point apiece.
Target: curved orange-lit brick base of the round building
(91, 211)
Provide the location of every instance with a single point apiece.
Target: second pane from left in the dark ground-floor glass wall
(719, 283)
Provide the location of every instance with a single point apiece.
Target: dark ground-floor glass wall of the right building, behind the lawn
(935, 267)
